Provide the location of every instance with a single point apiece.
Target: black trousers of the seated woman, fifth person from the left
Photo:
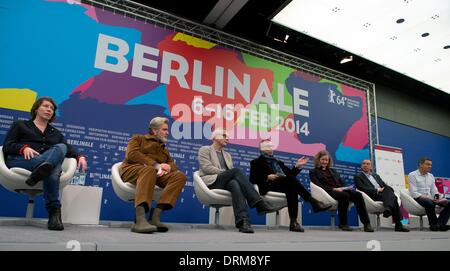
(343, 199)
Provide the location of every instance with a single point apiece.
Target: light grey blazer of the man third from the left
(209, 163)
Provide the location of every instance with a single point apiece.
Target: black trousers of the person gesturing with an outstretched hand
(292, 188)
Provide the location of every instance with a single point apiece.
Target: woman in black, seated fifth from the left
(326, 177)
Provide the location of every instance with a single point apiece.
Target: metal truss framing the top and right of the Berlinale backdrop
(168, 21)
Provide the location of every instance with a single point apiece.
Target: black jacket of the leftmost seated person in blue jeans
(24, 133)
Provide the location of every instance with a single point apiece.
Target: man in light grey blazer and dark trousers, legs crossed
(217, 171)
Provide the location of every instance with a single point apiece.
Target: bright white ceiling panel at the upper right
(369, 28)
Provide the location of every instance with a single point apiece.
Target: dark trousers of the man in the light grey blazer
(242, 192)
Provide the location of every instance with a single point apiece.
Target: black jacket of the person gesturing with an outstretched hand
(260, 169)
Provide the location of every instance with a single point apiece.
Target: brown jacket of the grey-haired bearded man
(146, 150)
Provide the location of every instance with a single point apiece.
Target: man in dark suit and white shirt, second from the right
(372, 184)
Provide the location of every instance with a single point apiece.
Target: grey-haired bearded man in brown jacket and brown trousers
(148, 163)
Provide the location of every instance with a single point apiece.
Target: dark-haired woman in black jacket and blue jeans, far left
(39, 147)
